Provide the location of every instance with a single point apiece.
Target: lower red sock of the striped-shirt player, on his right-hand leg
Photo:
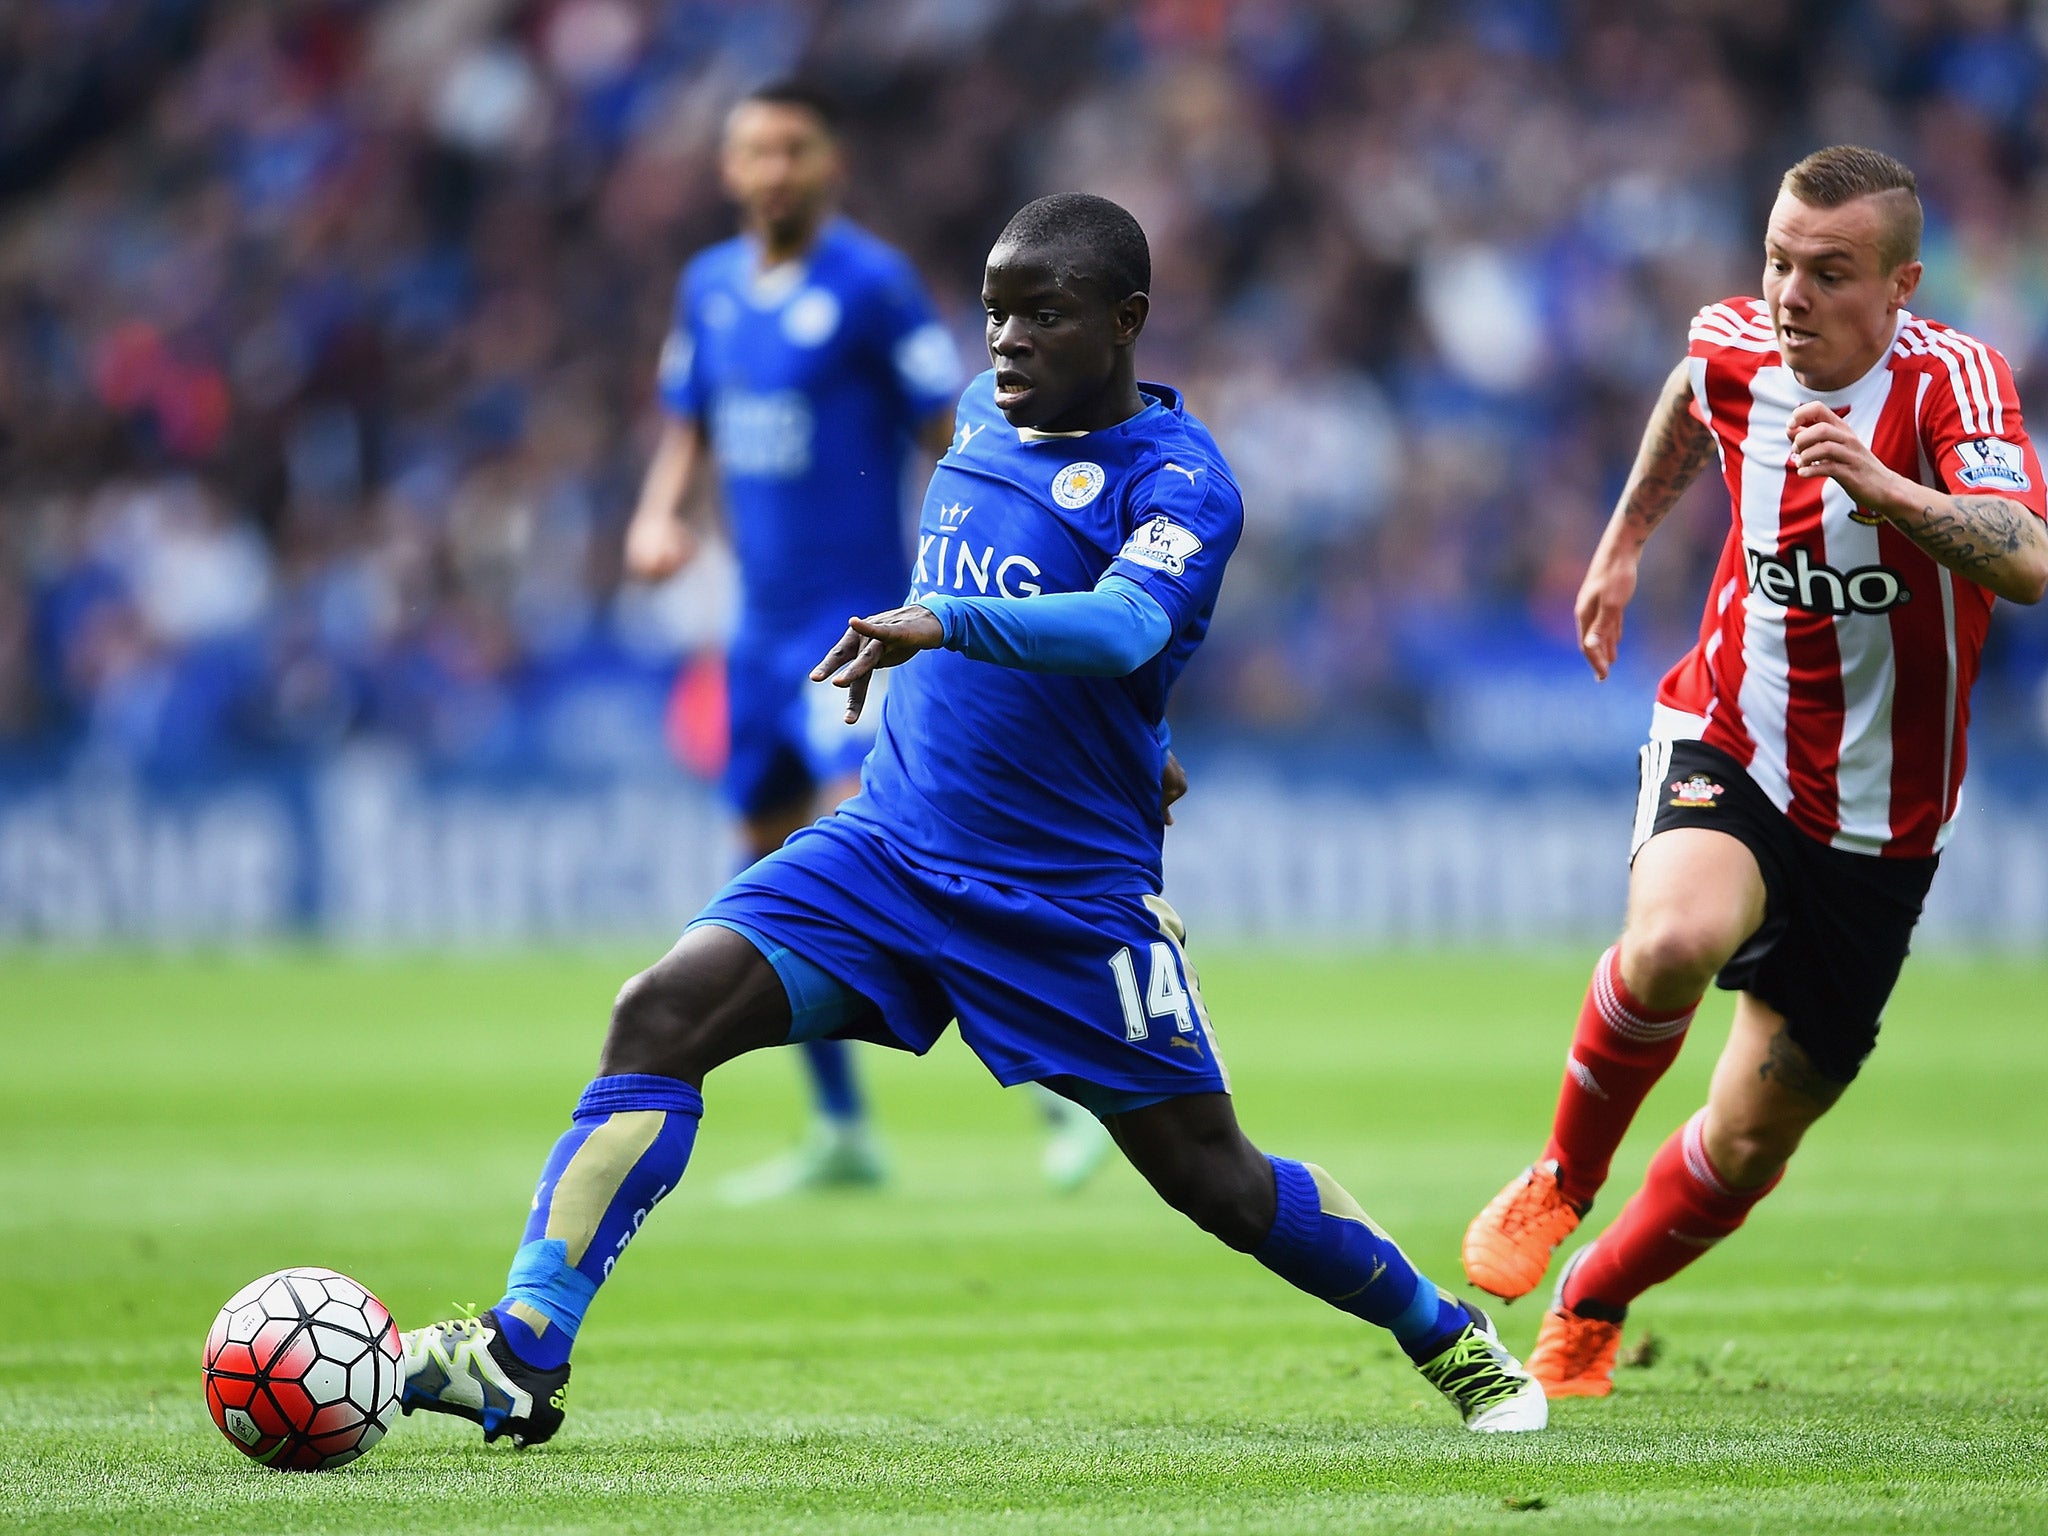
(1682, 1209)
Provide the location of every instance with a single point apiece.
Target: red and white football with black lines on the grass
(302, 1371)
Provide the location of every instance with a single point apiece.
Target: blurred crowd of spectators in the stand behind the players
(329, 327)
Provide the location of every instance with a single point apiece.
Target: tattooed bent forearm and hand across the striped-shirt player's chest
(1996, 542)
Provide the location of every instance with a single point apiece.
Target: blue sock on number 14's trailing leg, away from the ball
(1330, 1248)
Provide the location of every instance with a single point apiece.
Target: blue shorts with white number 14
(1091, 996)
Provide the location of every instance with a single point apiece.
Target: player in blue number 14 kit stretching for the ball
(1000, 863)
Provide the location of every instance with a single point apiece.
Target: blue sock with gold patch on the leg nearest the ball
(626, 1148)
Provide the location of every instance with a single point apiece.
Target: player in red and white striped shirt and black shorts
(1805, 757)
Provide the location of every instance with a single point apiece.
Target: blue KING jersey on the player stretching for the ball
(1029, 777)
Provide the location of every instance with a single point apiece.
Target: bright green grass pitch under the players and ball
(966, 1351)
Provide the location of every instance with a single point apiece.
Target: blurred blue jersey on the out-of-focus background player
(810, 380)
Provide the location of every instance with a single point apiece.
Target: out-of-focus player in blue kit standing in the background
(804, 364)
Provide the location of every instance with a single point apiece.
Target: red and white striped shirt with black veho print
(1836, 658)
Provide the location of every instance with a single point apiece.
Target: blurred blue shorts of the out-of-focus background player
(790, 736)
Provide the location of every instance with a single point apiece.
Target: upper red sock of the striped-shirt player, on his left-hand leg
(1617, 1056)
